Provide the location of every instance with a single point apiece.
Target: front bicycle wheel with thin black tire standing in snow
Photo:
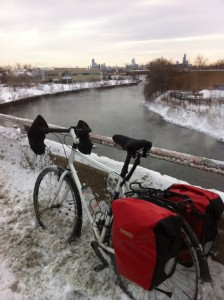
(65, 219)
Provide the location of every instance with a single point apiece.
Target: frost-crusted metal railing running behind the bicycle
(202, 163)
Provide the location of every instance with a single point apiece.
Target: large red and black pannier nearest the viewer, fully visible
(146, 240)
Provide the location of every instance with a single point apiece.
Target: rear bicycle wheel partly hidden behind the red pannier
(183, 284)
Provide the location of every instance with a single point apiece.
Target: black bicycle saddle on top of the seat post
(131, 144)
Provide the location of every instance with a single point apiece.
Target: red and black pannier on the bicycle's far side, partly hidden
(202, 213)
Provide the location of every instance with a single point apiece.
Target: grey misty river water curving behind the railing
(120, 111)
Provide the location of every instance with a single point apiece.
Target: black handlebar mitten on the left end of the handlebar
(36, 135)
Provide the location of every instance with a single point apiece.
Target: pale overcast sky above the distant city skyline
(72, 32)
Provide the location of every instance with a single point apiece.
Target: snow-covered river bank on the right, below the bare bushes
(204, 117)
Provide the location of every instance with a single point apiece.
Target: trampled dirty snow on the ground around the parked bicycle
(35, 264)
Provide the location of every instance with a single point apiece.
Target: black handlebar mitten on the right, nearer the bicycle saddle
(82, 131)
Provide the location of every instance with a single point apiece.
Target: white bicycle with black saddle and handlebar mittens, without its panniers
(59, 201)
